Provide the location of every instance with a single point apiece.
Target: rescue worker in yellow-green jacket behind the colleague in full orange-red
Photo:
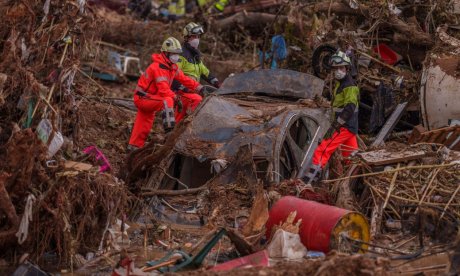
(192, 65)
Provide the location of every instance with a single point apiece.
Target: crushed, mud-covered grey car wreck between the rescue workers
(276, 116)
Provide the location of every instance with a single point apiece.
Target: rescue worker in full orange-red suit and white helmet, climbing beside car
(153, 92)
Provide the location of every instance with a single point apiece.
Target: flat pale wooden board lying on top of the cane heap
(384, 157)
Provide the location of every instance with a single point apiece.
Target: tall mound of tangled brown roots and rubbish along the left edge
(56, 197)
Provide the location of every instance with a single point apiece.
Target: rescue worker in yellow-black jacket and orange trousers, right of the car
(345, 104)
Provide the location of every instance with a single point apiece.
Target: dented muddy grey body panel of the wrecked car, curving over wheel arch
(223, 124)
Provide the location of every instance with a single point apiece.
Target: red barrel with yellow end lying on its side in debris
(322, 225)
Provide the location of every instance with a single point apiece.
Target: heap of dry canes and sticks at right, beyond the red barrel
(413, 180)
